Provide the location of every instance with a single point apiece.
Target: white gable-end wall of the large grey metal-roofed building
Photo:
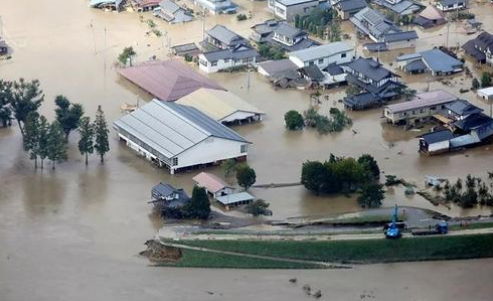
(210, 150)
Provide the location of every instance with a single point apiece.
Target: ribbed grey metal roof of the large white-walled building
(171, 128)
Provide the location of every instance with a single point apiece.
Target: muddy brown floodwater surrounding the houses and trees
(73, 234)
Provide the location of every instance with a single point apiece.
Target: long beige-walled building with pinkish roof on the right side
(422, 108)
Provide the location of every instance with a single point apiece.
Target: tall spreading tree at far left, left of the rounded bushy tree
(26, 98)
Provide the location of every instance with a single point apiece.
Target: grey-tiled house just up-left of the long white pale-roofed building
(281, 35)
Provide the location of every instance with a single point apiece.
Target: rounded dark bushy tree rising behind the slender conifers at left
(67, 114)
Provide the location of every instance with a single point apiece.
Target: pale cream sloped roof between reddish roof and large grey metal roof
(217, 104)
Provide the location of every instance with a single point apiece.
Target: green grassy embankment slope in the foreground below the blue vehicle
(357, 251)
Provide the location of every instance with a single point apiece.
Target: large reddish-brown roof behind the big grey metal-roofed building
(167, 80)
